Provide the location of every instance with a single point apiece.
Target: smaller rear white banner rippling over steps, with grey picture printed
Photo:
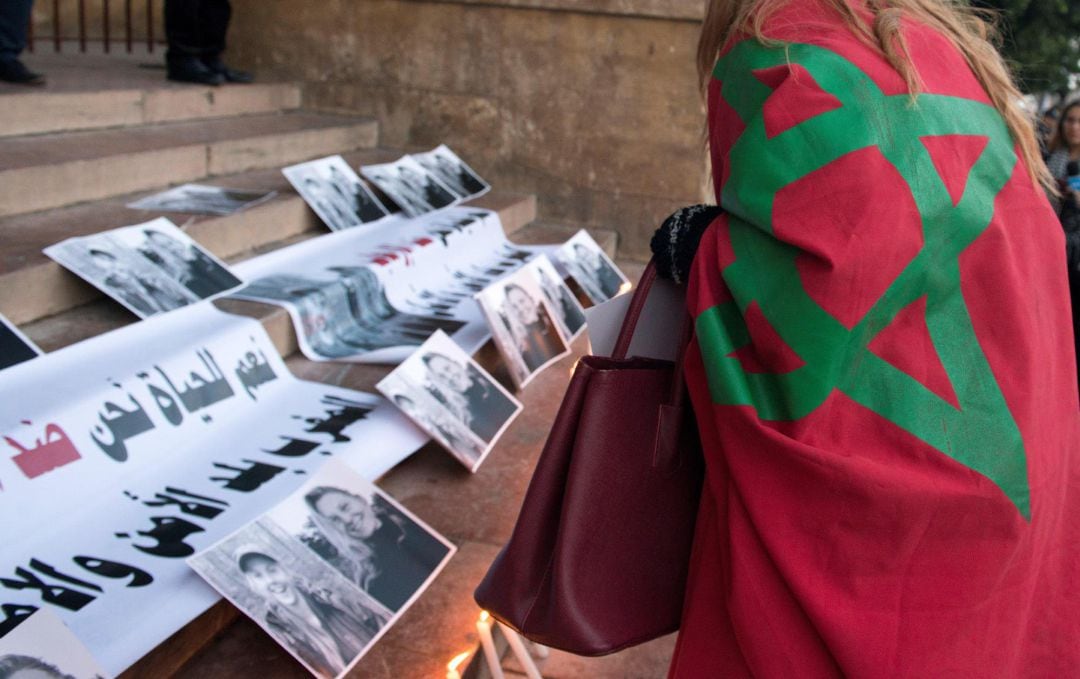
(376, 293)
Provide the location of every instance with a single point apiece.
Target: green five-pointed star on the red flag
(982, 434)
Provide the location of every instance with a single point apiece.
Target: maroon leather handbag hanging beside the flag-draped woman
(599, 559)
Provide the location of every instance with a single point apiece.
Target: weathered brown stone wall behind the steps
(590, 104)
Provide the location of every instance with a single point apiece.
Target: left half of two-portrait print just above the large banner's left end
(123, 274)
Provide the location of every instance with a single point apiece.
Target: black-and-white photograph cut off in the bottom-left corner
(42, 647)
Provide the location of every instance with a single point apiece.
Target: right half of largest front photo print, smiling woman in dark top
(364, 535)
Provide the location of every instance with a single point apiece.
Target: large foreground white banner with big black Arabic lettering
(131, 452)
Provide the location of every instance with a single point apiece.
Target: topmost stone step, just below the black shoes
(97, 91)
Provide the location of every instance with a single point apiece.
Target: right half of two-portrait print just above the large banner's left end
(164, 245)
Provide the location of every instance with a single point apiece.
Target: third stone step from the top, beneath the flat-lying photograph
(34, 287)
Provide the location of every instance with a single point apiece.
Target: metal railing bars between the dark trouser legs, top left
(57, 28)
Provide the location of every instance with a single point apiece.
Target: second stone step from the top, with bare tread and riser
(39, 173)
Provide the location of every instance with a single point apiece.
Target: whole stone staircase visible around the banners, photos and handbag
(109, 131)
